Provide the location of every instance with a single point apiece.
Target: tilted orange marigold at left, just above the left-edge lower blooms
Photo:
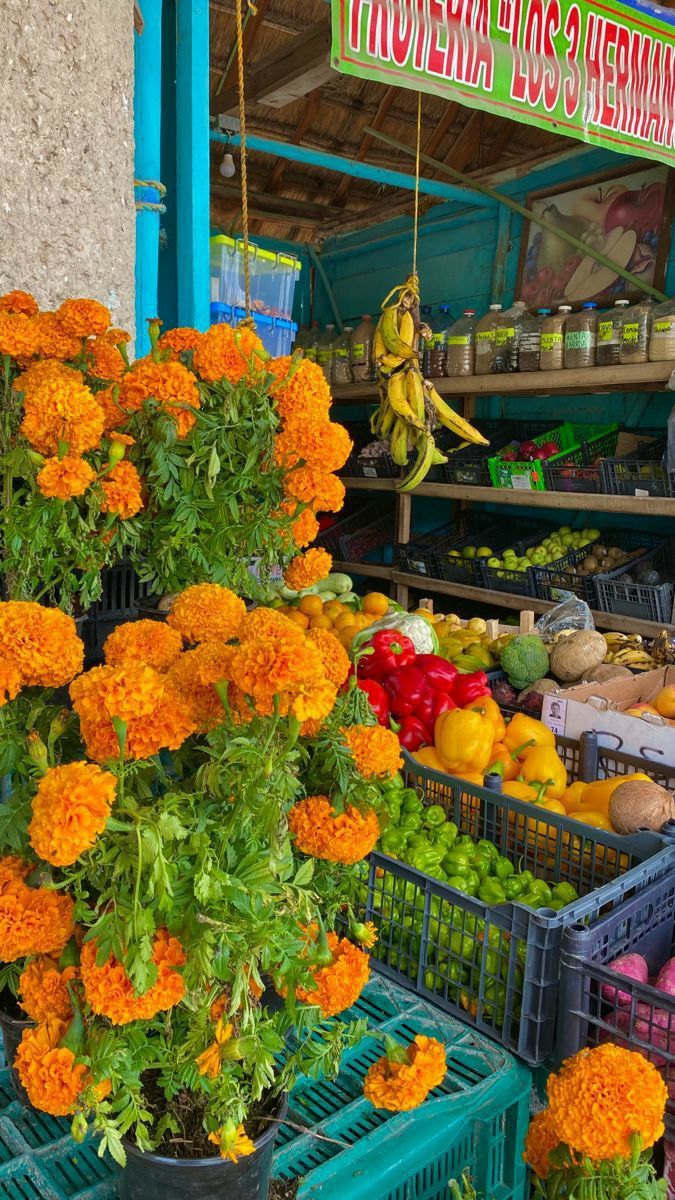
(70, 811)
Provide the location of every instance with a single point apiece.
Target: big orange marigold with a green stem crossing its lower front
(154, 715)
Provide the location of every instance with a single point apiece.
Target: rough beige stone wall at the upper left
(67, 152)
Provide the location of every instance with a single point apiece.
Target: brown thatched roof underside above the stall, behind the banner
(308, 203)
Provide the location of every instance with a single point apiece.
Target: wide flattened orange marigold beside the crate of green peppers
(336, 837)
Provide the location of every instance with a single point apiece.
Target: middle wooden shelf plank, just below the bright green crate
(647, 506)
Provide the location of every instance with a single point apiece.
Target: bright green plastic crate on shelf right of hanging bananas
(580, 446)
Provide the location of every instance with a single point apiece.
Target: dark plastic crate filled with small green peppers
(499, 968)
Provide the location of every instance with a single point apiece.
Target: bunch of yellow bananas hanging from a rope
(410, 407)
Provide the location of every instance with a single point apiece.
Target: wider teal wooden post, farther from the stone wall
(193, 163)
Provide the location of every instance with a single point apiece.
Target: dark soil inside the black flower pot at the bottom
(188, 1112)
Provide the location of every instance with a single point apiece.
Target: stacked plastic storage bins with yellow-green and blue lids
(273, 283)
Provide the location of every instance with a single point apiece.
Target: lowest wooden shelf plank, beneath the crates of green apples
(499, 599)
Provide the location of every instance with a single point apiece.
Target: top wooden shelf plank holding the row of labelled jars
(650, 376)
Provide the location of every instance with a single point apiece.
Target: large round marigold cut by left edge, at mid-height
(40, 644)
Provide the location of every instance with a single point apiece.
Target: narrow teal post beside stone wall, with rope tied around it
(147, 119)
